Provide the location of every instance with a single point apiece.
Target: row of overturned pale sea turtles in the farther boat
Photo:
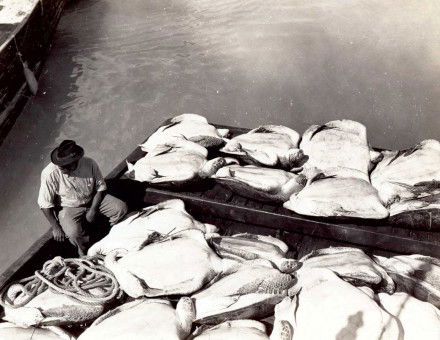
(329, 171)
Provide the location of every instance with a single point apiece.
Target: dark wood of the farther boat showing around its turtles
(213, 200)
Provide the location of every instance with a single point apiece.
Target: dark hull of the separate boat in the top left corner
(30, 38)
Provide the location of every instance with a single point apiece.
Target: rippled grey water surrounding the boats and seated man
(117, 69)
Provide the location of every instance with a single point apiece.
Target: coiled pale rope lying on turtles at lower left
(84, 279)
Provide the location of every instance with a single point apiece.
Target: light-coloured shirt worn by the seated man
(74, 189)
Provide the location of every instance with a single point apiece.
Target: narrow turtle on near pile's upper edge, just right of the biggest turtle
(242, 247)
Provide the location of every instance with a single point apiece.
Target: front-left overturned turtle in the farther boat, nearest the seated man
(177, 162)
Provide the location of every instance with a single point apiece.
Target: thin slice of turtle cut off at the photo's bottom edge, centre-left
(238, 330)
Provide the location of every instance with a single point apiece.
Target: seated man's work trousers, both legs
(72, 220)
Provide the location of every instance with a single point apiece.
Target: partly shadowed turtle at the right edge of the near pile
(417, 275)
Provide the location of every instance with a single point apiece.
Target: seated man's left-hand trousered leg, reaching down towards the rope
(71, 220)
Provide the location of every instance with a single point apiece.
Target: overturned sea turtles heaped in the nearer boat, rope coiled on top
(174, 277)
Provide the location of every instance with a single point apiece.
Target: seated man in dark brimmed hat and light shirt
(72, 192)
